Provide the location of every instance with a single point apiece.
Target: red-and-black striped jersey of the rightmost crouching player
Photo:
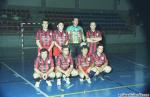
(99, 60)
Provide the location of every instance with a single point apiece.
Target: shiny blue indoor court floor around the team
(129, 75)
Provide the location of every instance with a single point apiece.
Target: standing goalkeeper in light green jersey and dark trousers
(76, 36)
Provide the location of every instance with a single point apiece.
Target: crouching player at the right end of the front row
(100, 62)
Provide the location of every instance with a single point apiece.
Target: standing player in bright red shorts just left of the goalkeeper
(61, 38)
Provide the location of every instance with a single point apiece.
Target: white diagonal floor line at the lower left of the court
(38, 89)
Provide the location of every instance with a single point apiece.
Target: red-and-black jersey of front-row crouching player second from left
(64, 63)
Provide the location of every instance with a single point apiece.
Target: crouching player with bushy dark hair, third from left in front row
(84, 64)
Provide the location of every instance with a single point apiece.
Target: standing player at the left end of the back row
(44, 38)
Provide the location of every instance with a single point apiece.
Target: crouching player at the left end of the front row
(43, 68)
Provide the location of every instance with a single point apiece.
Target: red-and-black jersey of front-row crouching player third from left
(84, 61)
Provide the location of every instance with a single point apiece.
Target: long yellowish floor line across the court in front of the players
(98, 90)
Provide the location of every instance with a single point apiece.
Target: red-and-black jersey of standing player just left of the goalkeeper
(61, 37)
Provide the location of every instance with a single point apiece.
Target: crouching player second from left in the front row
(65, 66)
